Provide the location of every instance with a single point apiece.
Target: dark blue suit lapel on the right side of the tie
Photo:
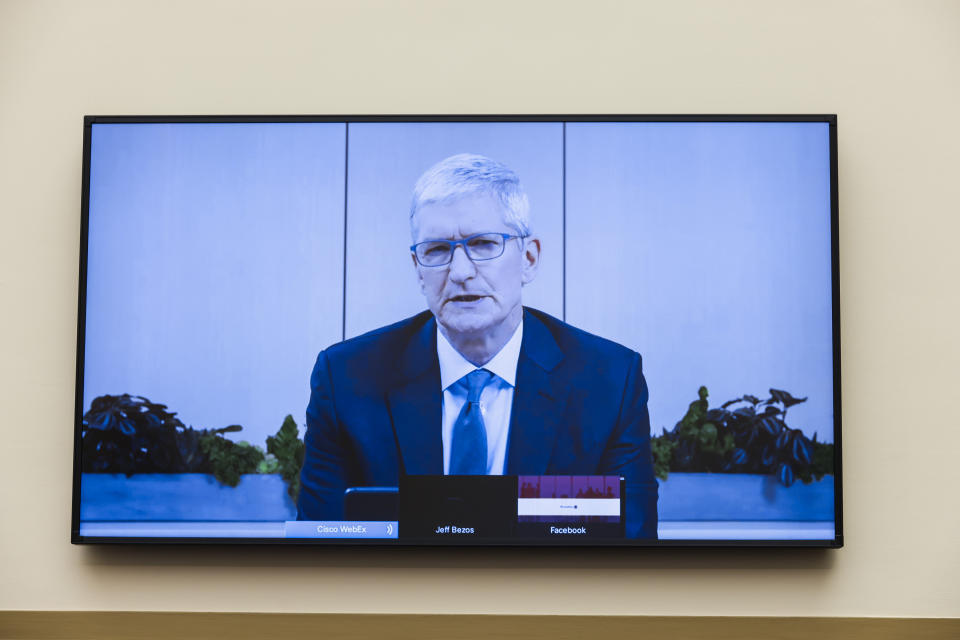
(538, 405)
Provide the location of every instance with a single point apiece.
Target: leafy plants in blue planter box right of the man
(741, 461)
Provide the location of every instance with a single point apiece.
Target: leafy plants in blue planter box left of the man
(140, 462)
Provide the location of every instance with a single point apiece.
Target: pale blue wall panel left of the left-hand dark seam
(215, 267)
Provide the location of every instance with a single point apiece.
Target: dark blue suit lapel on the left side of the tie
(415, 405)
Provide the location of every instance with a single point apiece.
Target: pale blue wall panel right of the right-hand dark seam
(705, 247)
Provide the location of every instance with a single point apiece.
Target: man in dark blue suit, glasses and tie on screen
(478, 384)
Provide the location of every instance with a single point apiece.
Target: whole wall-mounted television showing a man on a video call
(459, 331)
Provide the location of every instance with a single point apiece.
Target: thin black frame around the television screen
(89, 121)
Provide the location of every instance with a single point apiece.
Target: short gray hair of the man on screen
(470, 174)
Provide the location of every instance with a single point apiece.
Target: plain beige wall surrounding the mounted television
(888, 69)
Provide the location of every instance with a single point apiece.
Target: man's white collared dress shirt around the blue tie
(496, 399)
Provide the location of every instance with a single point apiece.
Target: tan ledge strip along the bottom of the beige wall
(104, 625)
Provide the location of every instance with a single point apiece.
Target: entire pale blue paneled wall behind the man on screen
(217, 266)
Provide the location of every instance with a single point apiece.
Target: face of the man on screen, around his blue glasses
(470, 297)
